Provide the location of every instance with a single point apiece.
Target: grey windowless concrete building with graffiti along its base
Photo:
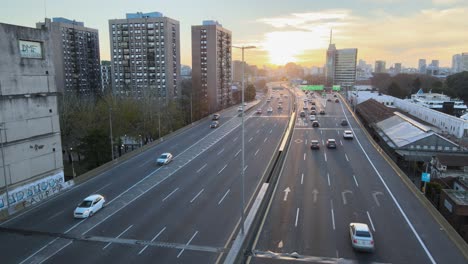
(31, 167)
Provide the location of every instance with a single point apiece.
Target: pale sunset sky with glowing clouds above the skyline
(285, 31)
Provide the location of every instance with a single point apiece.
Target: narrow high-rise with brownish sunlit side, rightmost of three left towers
(211, 66)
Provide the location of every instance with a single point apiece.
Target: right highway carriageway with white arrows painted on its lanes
(320, 192)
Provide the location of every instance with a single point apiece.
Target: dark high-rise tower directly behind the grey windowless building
(76, 56)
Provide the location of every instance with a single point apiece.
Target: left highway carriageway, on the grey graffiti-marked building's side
(184, 212)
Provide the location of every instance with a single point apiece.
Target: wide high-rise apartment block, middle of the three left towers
(145, 53)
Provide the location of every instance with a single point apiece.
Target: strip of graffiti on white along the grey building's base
(34, 192)
